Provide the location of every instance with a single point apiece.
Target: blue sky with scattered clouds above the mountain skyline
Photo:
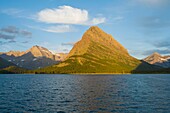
(141, 26)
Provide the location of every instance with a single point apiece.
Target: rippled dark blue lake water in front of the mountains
(85, 93)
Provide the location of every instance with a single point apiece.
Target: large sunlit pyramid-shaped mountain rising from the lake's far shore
(99, 52)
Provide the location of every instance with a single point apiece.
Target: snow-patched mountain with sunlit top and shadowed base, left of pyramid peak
(34, 58)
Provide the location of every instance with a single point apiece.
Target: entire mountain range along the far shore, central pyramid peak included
(96, 52)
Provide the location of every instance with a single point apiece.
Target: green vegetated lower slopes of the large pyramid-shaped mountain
(99, 59)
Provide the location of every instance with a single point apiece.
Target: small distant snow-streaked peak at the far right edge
(157, 59)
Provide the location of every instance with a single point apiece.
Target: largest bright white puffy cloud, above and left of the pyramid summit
(67, 15)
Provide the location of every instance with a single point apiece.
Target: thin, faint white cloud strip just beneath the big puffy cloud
(60, 29)
